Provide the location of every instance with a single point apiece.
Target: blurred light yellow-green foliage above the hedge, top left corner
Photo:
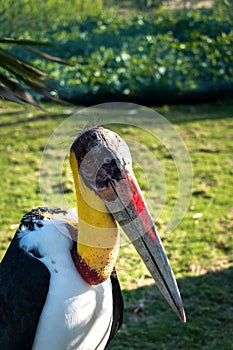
(33, 16)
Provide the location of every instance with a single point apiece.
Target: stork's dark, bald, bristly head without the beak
(99, 155)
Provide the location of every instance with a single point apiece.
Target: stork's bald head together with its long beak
(101, 160)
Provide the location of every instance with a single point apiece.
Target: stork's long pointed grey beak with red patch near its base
(125, 201)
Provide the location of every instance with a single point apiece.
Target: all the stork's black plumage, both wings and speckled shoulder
(24, 284)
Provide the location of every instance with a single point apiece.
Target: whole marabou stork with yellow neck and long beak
(58, 285)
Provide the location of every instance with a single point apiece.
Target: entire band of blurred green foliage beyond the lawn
(144, 51)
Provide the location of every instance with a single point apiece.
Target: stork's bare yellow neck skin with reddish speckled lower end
(98, 235)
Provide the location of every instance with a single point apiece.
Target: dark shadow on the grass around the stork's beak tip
(150, 324)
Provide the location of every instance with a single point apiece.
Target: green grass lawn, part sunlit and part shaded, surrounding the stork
(200, 249)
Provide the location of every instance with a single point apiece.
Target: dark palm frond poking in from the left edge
(19, 77)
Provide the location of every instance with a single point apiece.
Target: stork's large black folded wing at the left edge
(24, 283)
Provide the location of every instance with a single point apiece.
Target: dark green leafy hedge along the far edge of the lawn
(181, 56)
